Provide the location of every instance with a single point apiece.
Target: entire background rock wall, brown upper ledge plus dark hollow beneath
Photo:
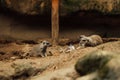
(31, 19)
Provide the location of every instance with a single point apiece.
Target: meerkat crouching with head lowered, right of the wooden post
(92, 40)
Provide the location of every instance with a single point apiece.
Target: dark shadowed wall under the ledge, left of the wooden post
(24, 27)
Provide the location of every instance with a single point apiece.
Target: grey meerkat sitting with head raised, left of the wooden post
(40, 49)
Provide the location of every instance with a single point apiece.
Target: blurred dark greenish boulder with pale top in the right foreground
(93, 61)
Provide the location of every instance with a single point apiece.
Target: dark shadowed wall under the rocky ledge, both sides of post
(15, 26)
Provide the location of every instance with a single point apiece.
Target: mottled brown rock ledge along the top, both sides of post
(66, 6)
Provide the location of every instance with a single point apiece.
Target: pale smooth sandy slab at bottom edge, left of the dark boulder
(61, 74)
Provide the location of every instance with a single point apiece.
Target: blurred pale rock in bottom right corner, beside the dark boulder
(111, 71)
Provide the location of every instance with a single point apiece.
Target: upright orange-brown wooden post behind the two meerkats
(55, 21)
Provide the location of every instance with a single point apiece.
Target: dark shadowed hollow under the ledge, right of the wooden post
(88, 23)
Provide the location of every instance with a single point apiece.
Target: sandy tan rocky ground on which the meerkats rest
(56, 66)
